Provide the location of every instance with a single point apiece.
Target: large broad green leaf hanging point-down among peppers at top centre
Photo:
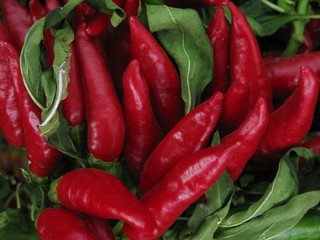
(181, 33)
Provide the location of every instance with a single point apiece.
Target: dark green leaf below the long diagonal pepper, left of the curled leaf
(216, 198)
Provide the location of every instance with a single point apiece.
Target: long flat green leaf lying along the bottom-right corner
(273, 222)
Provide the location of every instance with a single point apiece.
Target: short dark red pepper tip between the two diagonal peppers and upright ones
(235, 106)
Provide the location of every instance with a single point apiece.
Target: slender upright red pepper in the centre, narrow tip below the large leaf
(143, 132)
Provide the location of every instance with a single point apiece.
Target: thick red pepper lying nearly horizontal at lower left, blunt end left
(98, 193)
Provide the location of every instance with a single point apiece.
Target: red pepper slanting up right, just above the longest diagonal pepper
(190, 134)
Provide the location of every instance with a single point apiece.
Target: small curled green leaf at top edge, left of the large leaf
(108, 6)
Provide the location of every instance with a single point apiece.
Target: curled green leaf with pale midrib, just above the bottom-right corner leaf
(284, 186)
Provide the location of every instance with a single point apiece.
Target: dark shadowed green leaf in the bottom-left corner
(14, 225)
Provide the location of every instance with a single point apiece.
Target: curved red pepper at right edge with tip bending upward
(291, 121)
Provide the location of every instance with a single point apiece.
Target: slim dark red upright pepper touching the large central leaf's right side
(219, 36)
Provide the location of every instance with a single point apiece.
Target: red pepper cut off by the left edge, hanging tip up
(10, 120)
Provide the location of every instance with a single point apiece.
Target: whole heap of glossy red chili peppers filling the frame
(123, 107)
